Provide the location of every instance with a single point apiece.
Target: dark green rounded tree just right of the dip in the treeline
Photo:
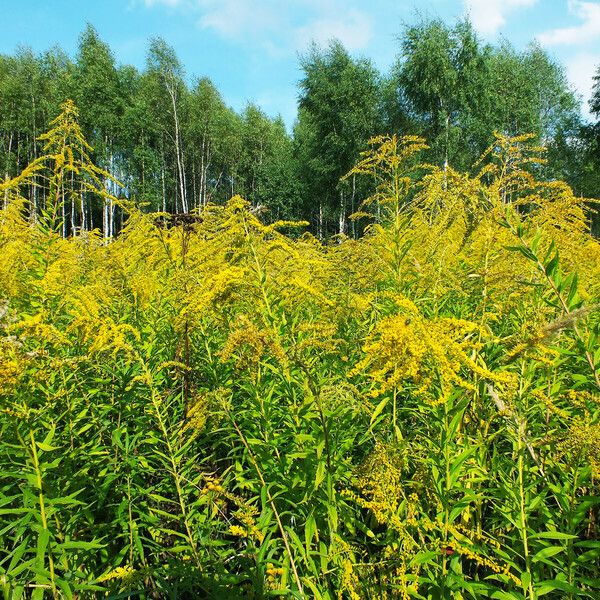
(338, 113)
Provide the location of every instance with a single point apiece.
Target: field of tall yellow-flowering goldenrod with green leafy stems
(206, 407)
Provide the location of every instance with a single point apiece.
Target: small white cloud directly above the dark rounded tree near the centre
(354, 30)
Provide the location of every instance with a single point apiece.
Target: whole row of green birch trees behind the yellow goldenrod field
(176, 146)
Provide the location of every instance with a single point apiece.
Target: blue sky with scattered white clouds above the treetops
(250, 48)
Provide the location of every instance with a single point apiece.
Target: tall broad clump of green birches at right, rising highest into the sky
(458, 92)
